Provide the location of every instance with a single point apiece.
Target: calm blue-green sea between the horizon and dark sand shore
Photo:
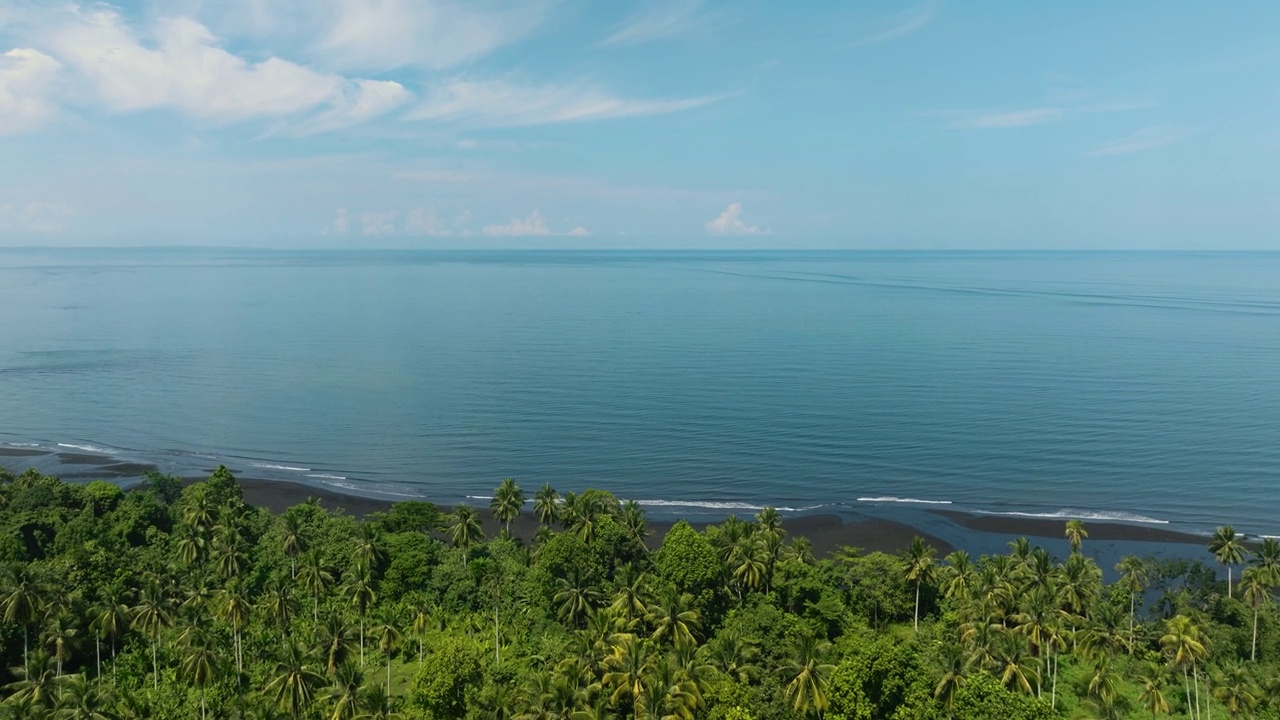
(1142, 388)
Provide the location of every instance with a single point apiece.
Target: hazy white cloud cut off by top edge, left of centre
(387, 34)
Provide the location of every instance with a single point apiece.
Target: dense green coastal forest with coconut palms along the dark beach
(179, 603)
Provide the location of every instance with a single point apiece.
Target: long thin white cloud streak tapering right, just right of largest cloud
(500, 103)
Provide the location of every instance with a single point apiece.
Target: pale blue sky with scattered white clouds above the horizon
(651, 124)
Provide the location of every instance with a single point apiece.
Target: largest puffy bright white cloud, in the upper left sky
(184, 69)
